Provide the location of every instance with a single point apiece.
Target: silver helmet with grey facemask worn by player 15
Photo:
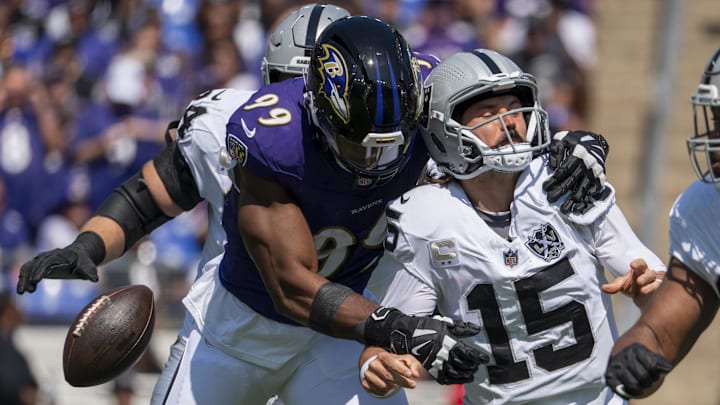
(452, 86)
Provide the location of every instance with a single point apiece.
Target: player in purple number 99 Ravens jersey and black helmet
(317, 159)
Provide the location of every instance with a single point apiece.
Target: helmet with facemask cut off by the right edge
(704, 146)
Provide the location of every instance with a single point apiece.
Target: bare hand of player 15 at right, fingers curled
(639, 283)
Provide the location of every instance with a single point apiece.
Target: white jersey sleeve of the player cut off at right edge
(695, 231)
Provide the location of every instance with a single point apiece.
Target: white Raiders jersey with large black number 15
(545, 321)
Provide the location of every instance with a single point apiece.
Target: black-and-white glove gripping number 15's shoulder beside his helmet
(578, 161)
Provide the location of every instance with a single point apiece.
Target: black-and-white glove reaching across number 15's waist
(434, 341)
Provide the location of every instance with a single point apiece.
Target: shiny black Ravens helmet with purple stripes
(364, 93)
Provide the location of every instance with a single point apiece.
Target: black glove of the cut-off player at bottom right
(634, 369)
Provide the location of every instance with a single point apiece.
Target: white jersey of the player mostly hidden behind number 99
(201, 138)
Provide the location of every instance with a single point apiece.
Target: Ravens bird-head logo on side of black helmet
(334, 73)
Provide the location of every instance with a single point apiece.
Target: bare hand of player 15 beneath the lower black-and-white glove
(383, 373)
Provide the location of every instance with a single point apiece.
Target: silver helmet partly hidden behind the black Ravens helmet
(291, 43)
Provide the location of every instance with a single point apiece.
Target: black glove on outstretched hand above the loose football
(76, 261)
